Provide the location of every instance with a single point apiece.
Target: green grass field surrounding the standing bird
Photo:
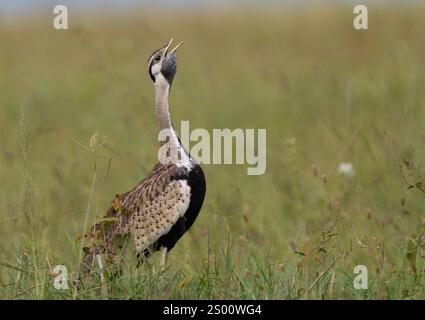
(325, 93)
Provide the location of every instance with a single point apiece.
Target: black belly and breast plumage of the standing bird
(196, 180)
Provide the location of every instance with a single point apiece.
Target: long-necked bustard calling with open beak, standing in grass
(159, 210)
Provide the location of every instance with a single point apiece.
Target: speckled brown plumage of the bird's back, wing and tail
(145, 213)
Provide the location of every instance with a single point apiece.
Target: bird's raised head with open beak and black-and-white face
(163, 63)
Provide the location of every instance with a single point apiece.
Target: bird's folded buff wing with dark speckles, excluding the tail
(156, 204)
